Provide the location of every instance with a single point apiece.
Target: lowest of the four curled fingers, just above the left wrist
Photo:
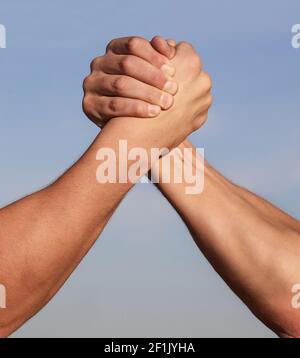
(110, 107)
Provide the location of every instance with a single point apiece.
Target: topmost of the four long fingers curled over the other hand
(139, 47)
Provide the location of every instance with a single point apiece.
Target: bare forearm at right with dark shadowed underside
(254, 246)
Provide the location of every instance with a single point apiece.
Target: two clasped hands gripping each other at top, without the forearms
(158, 81)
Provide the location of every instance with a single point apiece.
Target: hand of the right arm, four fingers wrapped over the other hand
(132, 79)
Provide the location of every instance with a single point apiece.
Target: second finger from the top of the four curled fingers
(139, 69)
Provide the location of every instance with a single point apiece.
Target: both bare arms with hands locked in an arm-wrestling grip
(153, 95)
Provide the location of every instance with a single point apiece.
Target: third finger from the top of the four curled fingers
(127, 87)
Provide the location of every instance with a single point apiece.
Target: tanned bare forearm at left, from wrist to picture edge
(44, 236)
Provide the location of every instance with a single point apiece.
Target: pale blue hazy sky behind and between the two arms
(145, 277)
